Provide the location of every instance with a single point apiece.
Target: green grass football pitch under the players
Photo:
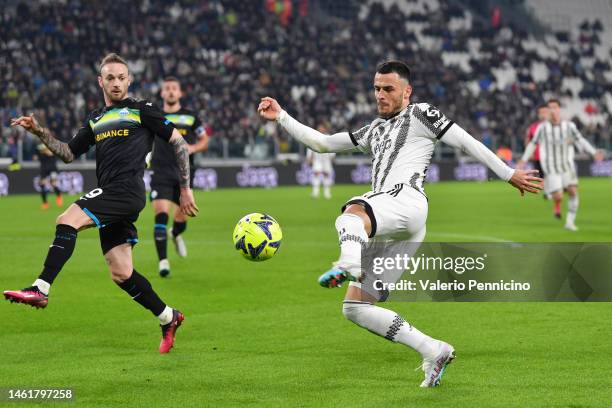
(265, 334)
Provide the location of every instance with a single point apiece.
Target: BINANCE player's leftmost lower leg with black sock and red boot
(67, 226)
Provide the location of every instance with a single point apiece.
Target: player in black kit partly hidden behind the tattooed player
(165, 181)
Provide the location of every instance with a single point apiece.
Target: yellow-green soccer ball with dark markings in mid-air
(257, 237)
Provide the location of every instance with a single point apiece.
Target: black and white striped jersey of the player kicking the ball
(402, 146)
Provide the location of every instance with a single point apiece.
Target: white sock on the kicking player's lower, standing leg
(390, 325)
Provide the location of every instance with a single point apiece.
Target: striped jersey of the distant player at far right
(557, 146)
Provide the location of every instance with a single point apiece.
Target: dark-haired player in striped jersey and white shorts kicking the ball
(401, 142)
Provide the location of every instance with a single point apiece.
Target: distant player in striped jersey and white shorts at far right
(557, 139)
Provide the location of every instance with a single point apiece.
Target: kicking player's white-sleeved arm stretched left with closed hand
(269, 109)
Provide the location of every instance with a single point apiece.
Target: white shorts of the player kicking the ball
(396, 214)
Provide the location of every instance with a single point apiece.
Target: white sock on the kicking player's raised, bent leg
(352, 235)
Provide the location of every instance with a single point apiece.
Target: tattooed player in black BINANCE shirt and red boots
(122, 132)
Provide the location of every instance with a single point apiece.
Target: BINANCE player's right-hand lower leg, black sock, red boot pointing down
(119, 260)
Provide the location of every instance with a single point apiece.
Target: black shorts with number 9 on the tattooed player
(114, 209)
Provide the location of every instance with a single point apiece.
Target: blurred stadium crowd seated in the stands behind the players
(483, 73)
